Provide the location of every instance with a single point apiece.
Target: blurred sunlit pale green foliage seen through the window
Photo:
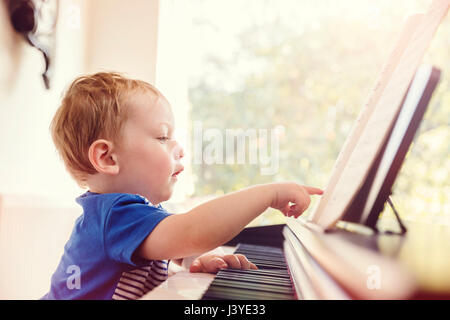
(313, 78)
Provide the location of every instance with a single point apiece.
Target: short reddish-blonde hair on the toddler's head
(93, 107)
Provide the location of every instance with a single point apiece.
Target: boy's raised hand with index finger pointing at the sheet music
(290, 192)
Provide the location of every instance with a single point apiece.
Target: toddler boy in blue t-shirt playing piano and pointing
(115, 136)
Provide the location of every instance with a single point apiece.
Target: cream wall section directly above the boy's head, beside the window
(122, 37)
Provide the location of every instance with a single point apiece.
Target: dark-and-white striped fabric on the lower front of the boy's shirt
(135, 283)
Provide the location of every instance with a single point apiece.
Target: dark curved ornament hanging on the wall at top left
(36, 20)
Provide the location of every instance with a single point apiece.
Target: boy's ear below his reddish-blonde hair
(102, 157)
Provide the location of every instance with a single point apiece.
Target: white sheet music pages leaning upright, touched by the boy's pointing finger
(373, 124)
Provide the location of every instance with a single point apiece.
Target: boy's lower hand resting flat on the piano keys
(212, 263)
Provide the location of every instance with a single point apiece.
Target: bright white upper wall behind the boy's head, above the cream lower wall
(29, 164)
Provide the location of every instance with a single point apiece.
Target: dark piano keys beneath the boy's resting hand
(271, 281)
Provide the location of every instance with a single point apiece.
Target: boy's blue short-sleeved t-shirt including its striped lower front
(99, 260)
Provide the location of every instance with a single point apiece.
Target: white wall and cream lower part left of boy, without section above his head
(33, 226)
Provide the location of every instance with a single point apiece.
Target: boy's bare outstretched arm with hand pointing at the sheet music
(215, 222)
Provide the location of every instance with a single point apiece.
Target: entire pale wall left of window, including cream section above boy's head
(37, 207)
